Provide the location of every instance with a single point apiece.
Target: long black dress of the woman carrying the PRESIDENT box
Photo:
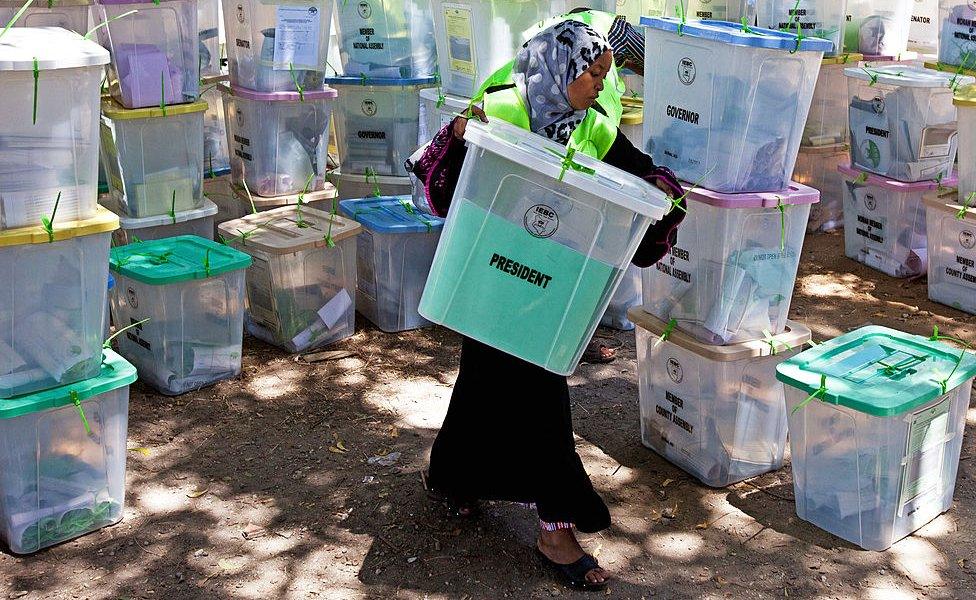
(508, 434)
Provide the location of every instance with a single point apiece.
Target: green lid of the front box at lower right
(878, 371)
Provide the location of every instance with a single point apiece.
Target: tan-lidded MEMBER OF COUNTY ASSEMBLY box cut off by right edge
(951, 242)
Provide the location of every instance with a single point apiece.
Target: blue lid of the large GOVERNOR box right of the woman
(734, 34)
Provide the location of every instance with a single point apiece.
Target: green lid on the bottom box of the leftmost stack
(116, 372)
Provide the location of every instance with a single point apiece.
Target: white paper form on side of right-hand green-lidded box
(925, 452)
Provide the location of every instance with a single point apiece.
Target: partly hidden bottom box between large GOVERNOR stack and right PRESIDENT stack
(817, 167)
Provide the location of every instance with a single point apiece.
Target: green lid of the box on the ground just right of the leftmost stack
(176, 259)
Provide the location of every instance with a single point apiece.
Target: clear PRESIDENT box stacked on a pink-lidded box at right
(902, 120)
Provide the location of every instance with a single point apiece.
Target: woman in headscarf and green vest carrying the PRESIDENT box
(508, 434)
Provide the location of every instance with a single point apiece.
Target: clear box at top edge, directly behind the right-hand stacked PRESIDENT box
(878, 27)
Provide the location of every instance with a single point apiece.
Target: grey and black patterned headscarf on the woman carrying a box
(544, 68)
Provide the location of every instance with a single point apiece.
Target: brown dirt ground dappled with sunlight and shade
(264, 487)
